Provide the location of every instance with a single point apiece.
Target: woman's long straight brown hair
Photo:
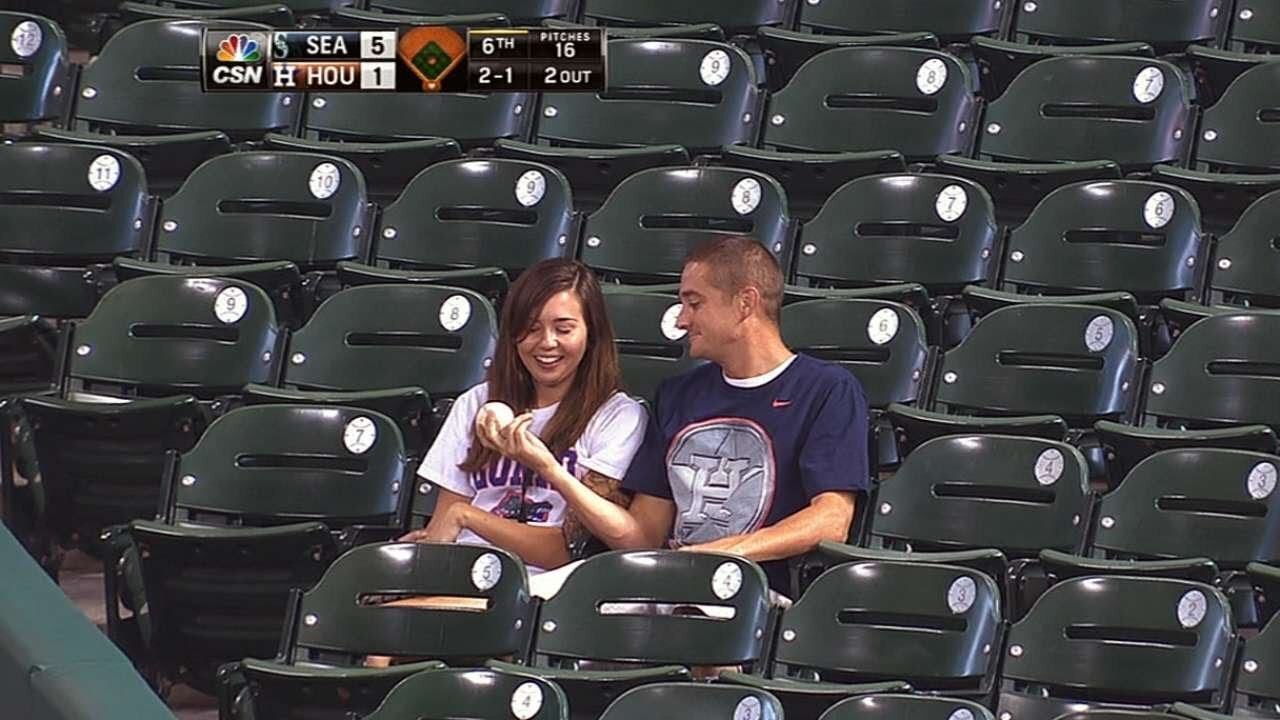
(597, 377)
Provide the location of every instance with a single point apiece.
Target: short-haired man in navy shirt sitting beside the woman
(761, 453)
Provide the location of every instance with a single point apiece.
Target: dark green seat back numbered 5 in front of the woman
(353, 610)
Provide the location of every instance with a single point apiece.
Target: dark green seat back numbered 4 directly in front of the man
(657, 608)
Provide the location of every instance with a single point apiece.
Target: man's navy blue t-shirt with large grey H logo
(739, 459)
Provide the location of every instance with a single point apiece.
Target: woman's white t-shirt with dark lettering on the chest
(607, 446)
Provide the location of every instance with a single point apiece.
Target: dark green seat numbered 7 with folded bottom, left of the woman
(260, 505)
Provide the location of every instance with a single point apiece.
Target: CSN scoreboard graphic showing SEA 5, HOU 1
(409, 60)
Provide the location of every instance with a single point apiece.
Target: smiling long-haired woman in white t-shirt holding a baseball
(556, 366)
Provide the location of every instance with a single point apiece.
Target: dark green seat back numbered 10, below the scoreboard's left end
(250, 207)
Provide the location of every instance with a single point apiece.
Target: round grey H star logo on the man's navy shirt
(723, 476)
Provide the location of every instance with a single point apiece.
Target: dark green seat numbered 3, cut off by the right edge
(1186, 513)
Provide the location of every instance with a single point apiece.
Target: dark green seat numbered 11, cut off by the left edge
(61, 230)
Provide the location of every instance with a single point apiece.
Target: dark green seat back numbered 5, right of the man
(1072, 361)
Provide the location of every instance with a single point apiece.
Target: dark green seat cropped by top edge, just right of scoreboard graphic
(738, 17)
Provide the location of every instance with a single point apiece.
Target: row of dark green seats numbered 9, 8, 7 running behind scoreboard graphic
(1112, 113)
